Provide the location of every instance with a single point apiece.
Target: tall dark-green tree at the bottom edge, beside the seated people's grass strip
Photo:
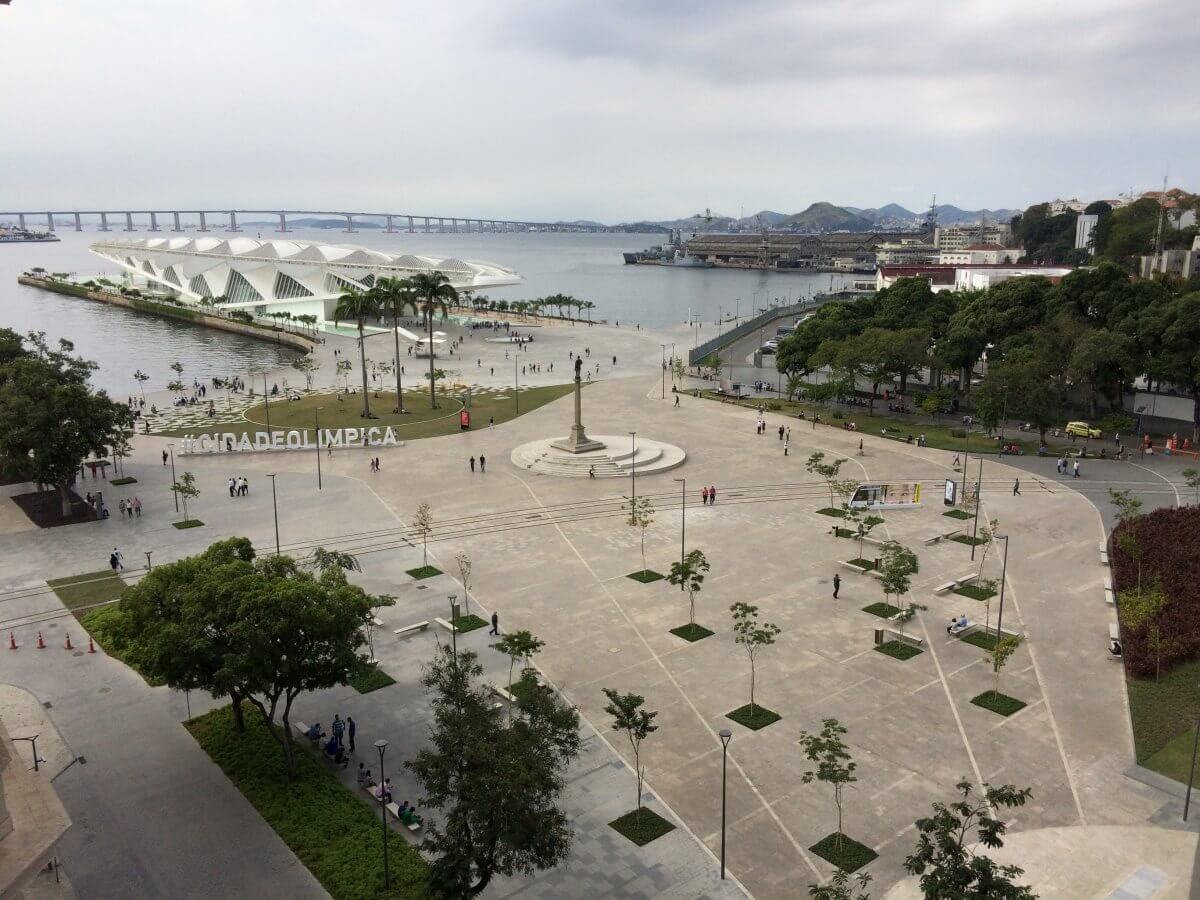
(497, 784)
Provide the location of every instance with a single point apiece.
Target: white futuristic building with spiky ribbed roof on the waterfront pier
(266, 277)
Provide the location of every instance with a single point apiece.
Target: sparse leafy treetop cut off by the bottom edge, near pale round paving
(945, 861)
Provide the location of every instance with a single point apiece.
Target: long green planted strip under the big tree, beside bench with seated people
(345, 859)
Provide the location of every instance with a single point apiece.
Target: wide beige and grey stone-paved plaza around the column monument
(551, 555)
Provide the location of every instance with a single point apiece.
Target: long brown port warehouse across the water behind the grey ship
(847, 250)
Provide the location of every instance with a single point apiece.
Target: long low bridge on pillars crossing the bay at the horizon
(227, 220)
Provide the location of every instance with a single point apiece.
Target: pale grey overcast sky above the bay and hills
(605, 110)
